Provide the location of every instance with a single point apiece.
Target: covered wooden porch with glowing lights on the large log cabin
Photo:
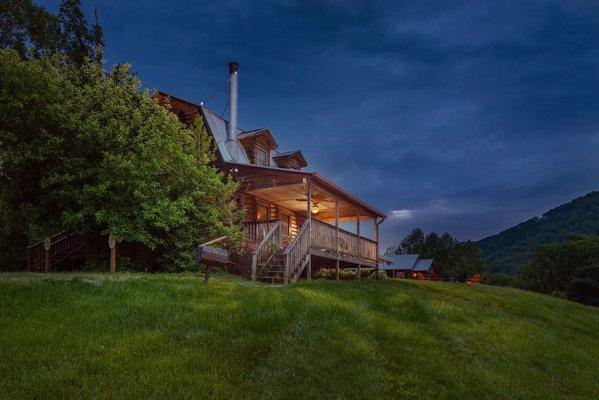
(316, 222)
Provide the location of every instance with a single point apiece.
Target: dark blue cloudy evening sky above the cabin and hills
(459, 117)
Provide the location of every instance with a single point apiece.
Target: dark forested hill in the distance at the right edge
(505, 251)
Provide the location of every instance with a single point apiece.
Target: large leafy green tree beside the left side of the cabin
(92, 152)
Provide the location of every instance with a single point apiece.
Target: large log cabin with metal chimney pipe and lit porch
(292, 216)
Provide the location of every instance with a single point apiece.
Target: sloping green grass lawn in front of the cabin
(168, 336)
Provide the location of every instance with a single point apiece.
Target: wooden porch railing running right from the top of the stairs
(350, 245)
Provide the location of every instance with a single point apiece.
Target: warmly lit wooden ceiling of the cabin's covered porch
(294, 197)
